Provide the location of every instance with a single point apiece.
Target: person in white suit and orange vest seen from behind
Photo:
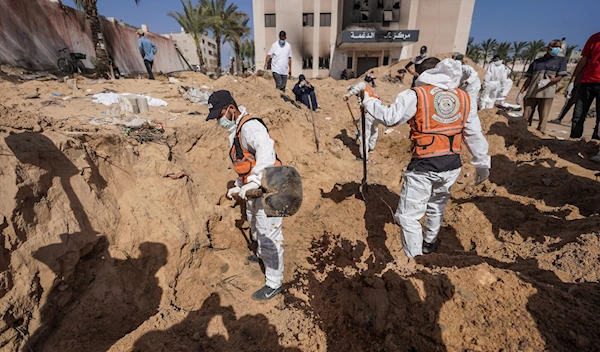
(440, 116)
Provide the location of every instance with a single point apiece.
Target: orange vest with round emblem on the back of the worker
(436, 129)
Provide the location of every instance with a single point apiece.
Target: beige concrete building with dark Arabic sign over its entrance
(328, 36)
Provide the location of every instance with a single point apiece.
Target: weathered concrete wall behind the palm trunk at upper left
(33, 31)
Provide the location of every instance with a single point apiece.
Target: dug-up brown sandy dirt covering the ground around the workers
(102, 252)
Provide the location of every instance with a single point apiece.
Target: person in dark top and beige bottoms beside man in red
(543, 76)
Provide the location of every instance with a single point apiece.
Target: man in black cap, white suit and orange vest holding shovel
(251, 152)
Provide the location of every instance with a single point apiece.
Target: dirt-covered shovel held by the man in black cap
(281, 191)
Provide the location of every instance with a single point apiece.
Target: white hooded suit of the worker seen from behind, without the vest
(426, 193)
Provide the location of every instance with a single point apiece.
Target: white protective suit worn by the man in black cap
(266, 231)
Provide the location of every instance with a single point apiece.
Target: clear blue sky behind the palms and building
(504, 20)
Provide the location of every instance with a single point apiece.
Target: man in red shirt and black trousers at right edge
(588, 87)
